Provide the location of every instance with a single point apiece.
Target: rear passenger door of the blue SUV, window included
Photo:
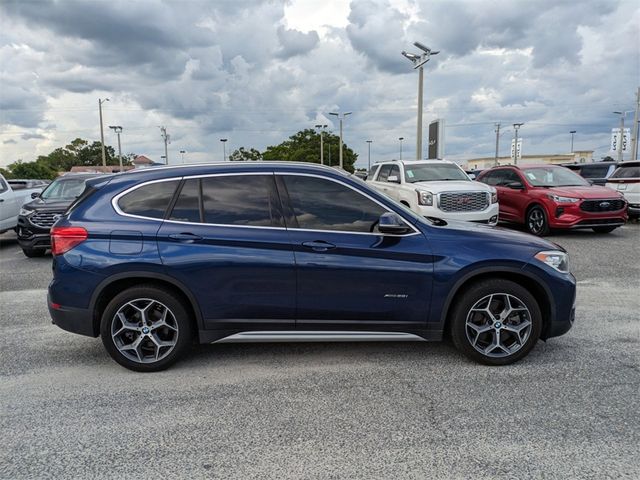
(225, 239)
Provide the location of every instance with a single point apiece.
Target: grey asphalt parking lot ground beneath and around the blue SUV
(345, 410)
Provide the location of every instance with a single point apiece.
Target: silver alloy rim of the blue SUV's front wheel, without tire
(498, 325)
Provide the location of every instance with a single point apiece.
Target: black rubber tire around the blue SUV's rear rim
(180, 327)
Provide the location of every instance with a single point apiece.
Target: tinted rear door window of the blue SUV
(241, 200)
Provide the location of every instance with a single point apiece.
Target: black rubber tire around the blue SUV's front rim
(475, 295)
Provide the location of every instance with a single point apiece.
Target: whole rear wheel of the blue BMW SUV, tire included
(145, 328)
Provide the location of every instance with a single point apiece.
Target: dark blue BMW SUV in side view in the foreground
(154, 260)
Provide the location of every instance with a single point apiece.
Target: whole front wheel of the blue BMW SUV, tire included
(496, 322)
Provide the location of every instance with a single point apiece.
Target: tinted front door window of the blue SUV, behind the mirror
(321, 204)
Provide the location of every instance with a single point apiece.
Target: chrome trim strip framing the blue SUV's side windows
(118, 210)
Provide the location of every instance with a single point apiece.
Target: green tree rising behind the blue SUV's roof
(304, 146)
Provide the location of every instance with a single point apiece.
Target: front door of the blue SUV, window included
(349, 276)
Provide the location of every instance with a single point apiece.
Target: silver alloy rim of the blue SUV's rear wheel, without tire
(144, 330)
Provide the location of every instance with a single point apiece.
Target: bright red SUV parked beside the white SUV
(543, 197)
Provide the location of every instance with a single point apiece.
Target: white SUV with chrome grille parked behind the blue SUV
(436, 188)
